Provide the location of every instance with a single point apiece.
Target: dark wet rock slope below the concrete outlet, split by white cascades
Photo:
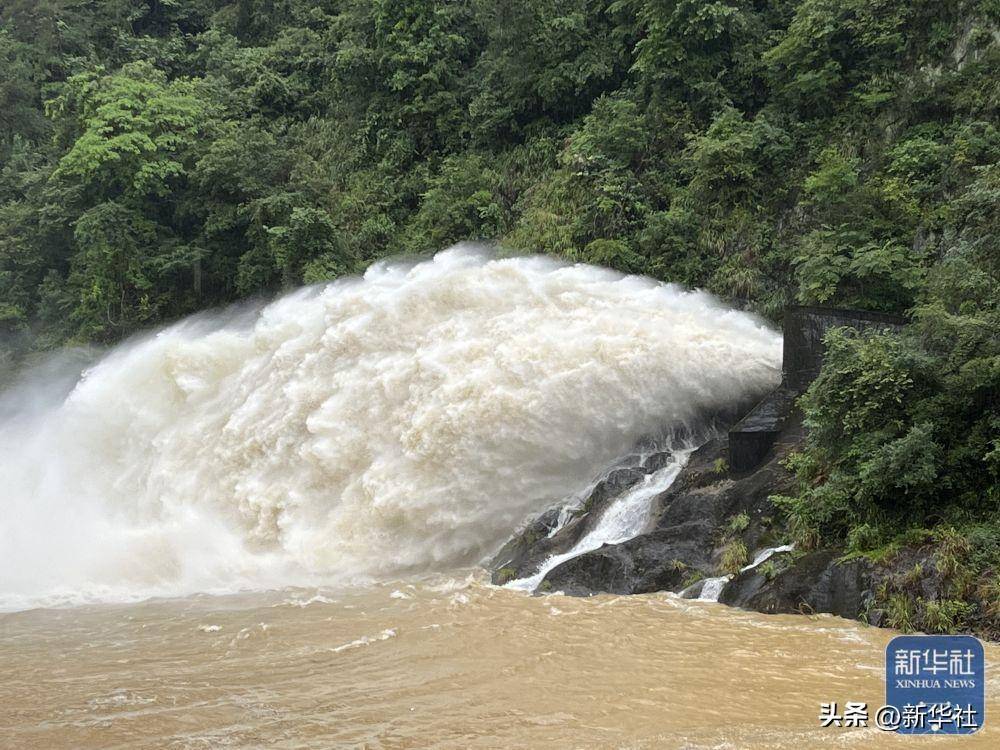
(709, 523)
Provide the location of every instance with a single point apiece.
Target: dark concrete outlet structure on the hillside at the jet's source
(804, 328)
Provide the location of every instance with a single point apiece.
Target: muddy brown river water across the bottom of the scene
(448, 663)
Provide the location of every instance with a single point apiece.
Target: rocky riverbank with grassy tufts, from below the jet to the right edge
(711, 524)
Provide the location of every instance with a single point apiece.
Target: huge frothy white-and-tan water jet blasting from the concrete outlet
(407, 420)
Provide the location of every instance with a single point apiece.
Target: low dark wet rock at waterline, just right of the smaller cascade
(816, 582)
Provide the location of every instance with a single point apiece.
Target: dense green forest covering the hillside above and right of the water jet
(162, 157)
